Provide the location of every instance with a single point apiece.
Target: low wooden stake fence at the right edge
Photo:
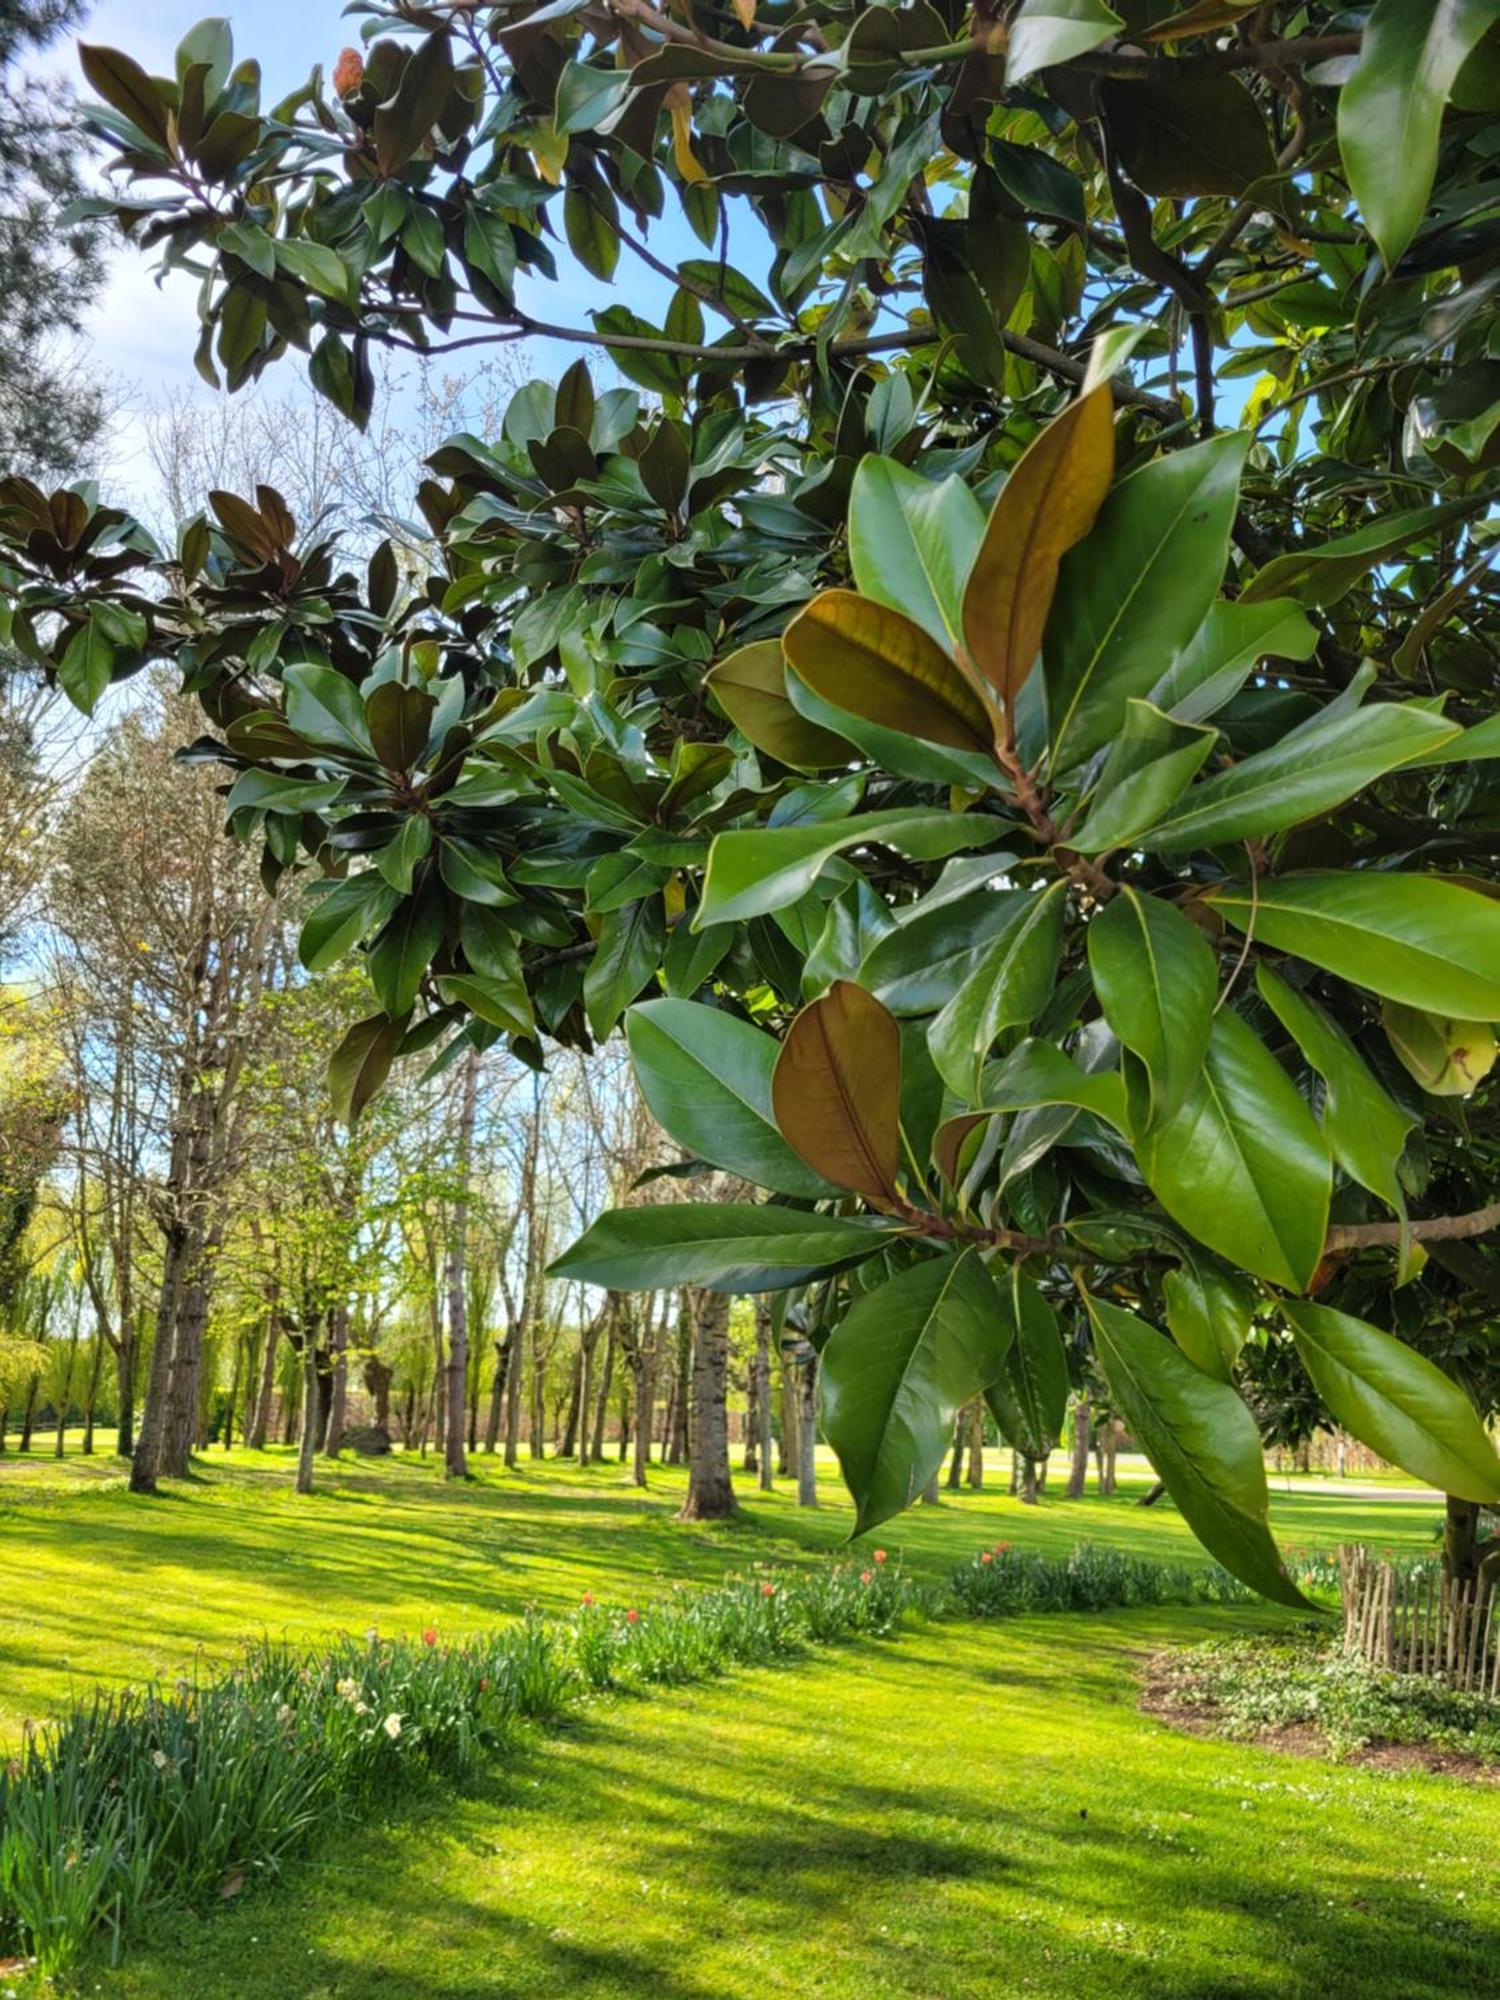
(1421, 1623)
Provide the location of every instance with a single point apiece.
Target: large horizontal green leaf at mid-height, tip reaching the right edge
(1423, 941)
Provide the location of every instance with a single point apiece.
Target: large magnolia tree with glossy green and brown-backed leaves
(1039, 835)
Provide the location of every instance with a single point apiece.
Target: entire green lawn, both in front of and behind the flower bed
(961, 1815)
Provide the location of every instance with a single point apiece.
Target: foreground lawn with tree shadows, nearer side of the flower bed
(967, 1813)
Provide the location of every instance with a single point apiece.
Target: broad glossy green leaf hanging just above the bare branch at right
(1241, 1163)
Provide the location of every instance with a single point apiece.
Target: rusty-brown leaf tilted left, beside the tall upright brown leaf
(879, 665)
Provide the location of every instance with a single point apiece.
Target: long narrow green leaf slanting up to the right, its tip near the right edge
(1309, 773)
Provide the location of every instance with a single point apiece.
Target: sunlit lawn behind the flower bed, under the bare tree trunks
(103, 1587)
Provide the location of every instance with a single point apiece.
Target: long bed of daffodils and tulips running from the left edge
(151, 1797)
